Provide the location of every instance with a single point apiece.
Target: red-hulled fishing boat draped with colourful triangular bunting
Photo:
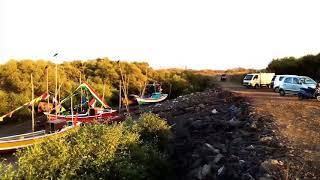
(95, 110)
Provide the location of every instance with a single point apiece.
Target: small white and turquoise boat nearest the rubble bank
(154, 95)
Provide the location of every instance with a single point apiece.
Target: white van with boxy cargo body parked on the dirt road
(258, 80)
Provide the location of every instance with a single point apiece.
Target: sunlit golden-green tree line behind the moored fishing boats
(102, 74)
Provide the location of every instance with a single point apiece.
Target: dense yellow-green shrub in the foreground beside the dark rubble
(119, 151)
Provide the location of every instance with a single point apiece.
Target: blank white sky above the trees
(197, 34)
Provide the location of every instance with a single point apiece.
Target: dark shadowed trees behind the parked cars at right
(308, 65)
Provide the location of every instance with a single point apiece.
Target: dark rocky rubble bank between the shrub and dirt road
(218, 136)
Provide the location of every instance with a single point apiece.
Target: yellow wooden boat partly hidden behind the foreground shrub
(12, 143)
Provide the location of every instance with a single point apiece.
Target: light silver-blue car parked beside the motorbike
(293, 84)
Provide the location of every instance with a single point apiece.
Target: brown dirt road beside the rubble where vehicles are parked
(298, 121)
